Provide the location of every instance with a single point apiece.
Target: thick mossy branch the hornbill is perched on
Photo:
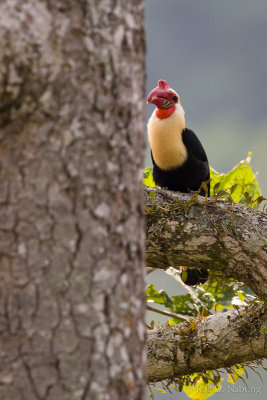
(212, 234)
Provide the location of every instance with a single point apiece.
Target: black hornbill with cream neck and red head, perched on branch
(179, 161)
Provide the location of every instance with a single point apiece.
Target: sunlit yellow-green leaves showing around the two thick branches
(238, 185)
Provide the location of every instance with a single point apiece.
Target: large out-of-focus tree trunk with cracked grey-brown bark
(71, 224)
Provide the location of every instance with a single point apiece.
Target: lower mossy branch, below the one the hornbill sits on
(219, 341)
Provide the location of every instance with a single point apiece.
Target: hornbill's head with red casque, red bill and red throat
(164, 98)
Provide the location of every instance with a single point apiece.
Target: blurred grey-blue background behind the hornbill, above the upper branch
(214, 53)
